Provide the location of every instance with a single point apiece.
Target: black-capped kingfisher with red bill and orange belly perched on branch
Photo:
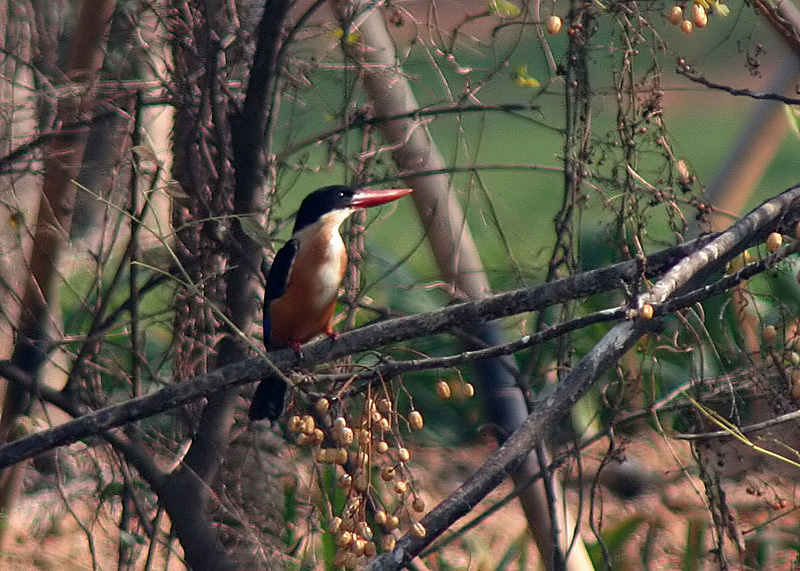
(304, 280)
